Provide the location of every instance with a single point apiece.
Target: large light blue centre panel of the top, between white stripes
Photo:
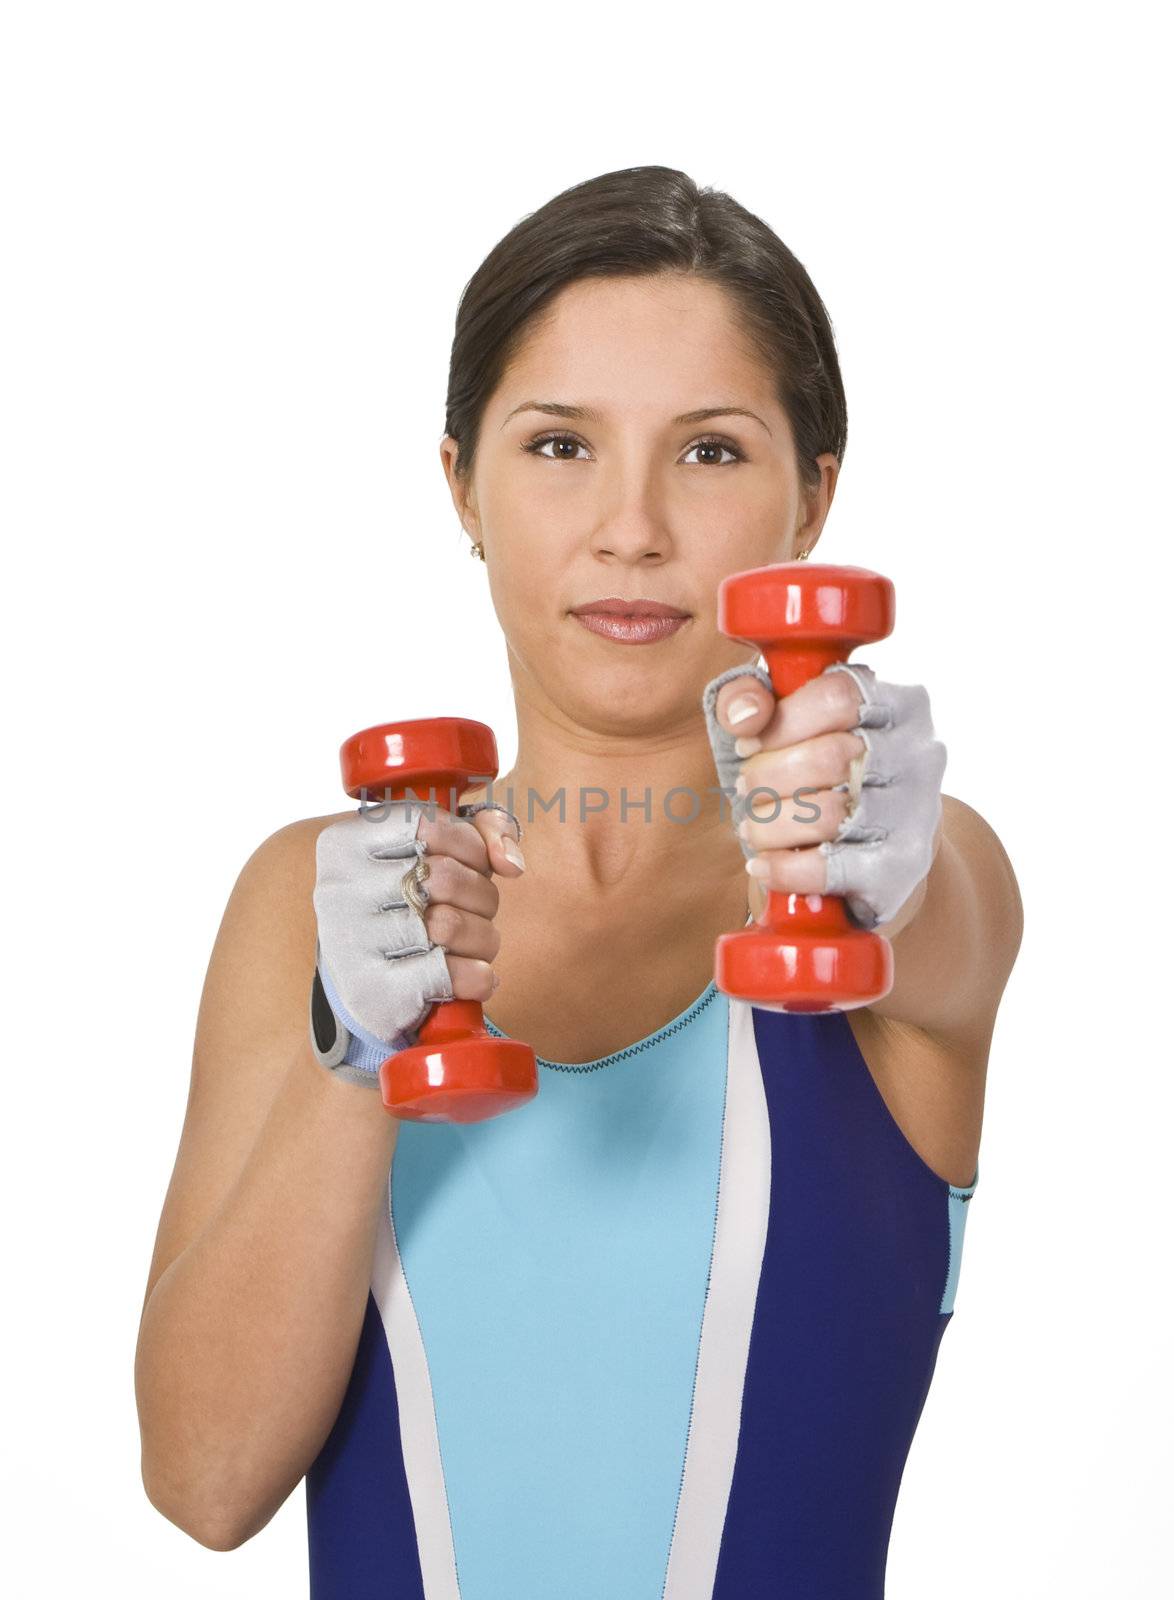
(557, 1260)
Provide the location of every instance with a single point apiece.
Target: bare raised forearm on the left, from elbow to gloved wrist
(249, 1337)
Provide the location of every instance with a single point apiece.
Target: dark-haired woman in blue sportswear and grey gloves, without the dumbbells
(668, 1329)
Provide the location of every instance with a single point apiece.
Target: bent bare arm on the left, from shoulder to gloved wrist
(263, 1260)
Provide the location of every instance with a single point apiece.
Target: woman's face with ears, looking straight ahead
(626, 500)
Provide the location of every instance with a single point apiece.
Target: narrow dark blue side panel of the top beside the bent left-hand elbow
(362, 1535)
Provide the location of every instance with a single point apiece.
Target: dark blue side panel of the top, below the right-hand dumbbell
(847, 1326)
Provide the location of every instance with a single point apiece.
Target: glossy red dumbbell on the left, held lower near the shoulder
(457, 1071)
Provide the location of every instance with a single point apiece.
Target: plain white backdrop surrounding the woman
(236, 239)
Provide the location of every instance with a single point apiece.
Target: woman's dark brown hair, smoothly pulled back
(634, 223)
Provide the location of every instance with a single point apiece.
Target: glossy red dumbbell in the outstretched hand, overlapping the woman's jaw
(805, 954)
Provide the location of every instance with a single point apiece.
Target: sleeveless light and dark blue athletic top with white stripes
(663, 1334)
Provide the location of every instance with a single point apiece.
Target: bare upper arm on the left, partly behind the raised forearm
(250, 1026)
